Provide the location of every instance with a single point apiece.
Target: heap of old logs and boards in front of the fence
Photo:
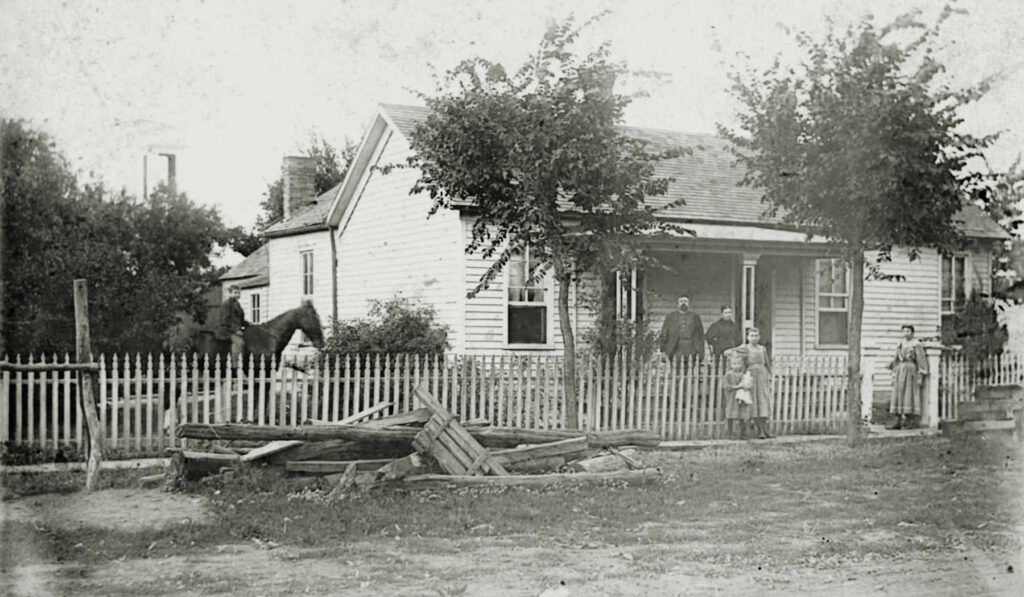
(428, 447)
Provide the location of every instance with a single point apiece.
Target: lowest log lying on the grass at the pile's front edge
(438, 482)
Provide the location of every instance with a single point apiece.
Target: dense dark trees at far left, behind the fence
(147, 262)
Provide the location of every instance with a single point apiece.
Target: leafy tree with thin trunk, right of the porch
(861, 144)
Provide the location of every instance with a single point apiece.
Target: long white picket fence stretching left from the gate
(143, 399)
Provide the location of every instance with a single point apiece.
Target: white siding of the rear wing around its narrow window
(285, 291)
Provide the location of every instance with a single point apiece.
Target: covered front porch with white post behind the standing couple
(778, 281)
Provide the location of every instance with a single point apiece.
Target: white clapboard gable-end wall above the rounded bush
(390, 247)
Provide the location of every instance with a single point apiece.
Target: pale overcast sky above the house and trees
(235, 87)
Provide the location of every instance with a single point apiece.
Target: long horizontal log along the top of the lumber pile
(489, 438)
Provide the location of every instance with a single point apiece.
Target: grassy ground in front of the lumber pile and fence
(820, 505)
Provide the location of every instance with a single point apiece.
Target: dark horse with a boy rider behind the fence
(268, 340)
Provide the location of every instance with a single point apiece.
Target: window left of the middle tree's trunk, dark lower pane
(528, 302)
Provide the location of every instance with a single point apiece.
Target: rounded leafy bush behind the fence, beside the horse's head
(396, 327)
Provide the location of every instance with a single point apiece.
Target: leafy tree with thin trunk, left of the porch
(539, 156)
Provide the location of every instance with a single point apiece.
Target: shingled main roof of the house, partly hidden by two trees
(707, 182)
